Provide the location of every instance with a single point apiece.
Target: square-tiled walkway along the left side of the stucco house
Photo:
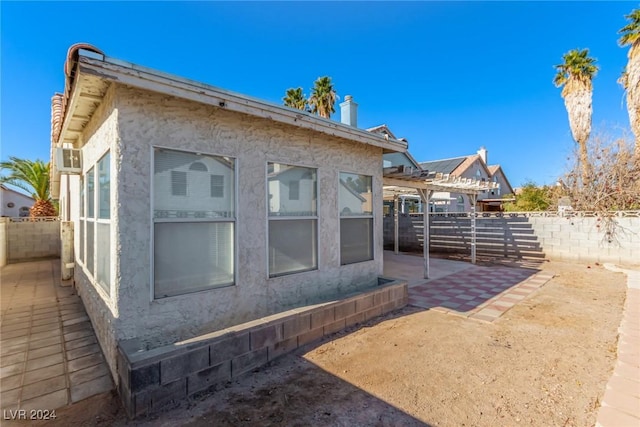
(49, 356)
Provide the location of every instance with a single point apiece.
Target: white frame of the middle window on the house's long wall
(316, 218)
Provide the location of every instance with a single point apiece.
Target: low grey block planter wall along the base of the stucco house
(148, 380)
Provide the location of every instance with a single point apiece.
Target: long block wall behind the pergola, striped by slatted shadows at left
(523, 236)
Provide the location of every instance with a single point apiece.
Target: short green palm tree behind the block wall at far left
(31, 176)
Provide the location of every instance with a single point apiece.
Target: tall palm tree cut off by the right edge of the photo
(630, 80)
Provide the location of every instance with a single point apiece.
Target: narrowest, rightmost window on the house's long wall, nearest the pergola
(356, 218)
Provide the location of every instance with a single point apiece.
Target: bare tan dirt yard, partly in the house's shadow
(544, 362)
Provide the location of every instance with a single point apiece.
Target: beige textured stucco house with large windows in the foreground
(197, 209)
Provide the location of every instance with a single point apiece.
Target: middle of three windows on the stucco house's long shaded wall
(293, 219)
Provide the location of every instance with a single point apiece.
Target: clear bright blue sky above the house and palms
(448, 76)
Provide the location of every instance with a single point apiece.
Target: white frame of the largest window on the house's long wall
(153, 220)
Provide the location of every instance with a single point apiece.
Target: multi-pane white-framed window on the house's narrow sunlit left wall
(95, 222)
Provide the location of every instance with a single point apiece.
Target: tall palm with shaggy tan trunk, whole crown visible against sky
(575, 74)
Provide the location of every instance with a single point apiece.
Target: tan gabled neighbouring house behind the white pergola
(473, 167)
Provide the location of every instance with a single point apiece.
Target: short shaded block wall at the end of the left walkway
(32, 240)
